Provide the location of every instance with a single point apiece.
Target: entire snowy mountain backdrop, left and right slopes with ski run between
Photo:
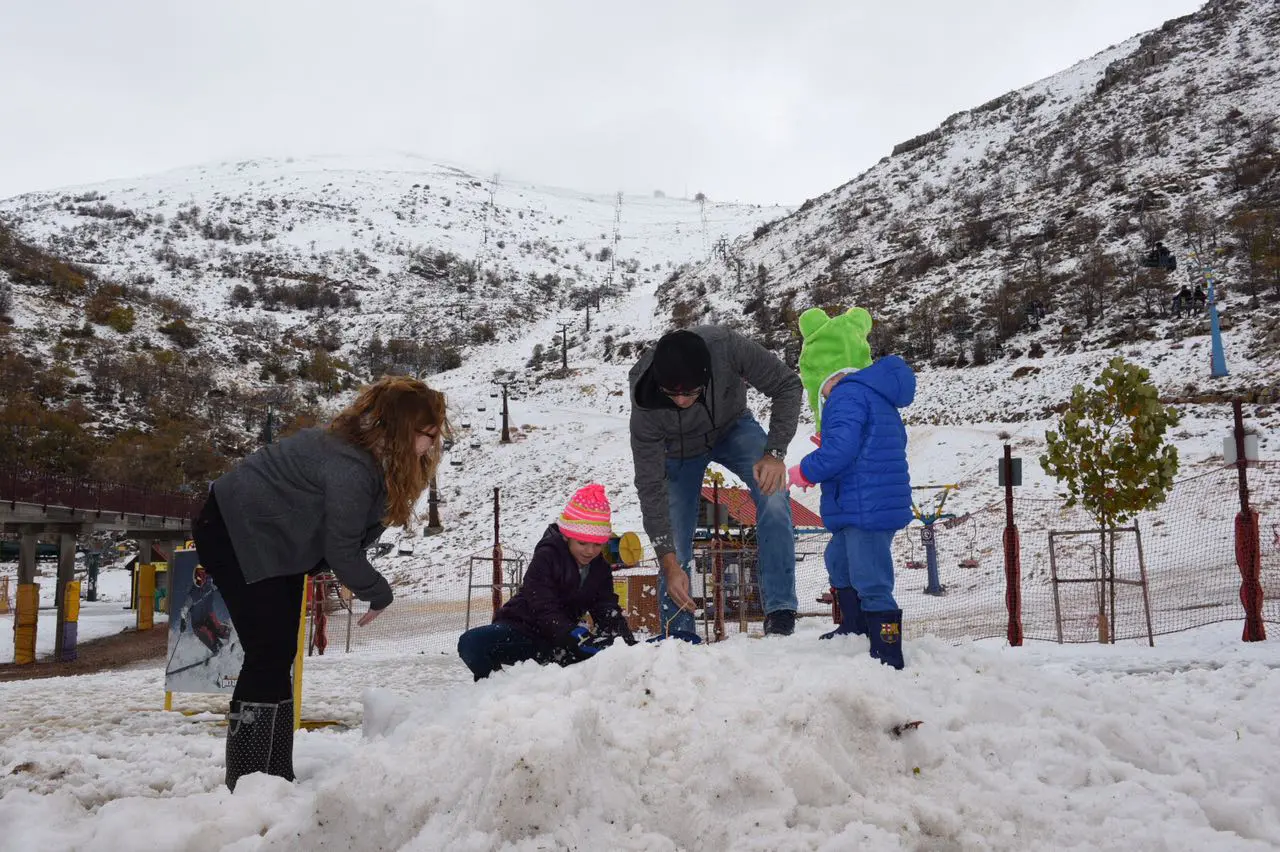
(280, 283)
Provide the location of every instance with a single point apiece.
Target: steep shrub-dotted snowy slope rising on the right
(1052, 194)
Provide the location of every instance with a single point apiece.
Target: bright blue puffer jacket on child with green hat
(862, 462)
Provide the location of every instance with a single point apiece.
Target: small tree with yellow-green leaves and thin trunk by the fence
(1112, 454)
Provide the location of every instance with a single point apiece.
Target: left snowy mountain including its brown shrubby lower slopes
(218, 301)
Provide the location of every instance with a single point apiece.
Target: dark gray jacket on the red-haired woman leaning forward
(307, 501)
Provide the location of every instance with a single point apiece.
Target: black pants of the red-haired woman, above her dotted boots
(266, 615)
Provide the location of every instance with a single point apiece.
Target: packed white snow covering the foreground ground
(746, 745)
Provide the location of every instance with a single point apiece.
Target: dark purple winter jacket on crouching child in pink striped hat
(554, 598)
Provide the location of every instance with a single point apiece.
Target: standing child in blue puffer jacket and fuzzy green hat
(861, 464)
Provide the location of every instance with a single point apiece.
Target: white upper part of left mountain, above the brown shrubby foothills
(276, 259)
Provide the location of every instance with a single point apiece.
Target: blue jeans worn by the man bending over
(739, 450)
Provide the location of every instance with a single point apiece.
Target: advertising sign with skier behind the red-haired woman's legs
(204, 652)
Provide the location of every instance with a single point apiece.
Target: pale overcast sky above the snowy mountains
(733, 98)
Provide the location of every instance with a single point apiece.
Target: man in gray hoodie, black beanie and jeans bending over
(688, 410)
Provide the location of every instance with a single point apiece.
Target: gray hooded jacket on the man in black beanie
(661, 430)
